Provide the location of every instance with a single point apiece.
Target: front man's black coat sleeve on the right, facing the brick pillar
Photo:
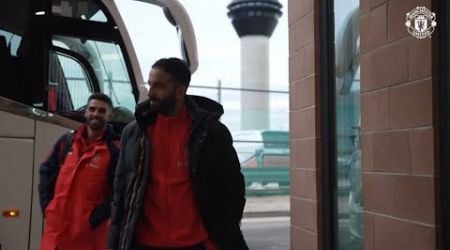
(233, 193)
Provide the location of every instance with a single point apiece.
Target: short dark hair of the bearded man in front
(176, 68)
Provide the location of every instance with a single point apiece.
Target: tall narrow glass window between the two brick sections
(348, 122)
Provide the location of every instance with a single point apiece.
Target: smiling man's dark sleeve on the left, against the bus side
(48, 172)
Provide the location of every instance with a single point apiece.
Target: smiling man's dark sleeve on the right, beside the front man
(103, 212)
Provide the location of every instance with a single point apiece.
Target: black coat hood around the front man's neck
(198, 108)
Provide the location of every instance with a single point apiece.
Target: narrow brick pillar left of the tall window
(304, 124)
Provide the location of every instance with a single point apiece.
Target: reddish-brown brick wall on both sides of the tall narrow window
(398, 164)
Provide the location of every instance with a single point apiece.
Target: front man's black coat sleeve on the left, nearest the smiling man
(117, 204)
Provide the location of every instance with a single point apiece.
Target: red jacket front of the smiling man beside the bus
(81, 187)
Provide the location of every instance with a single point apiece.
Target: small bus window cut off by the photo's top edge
(82, 9)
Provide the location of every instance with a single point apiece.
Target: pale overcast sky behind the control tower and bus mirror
(217, 42)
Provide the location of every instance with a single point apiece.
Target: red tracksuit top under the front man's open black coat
(170, 216)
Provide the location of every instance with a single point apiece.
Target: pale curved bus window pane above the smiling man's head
(107, 62)
